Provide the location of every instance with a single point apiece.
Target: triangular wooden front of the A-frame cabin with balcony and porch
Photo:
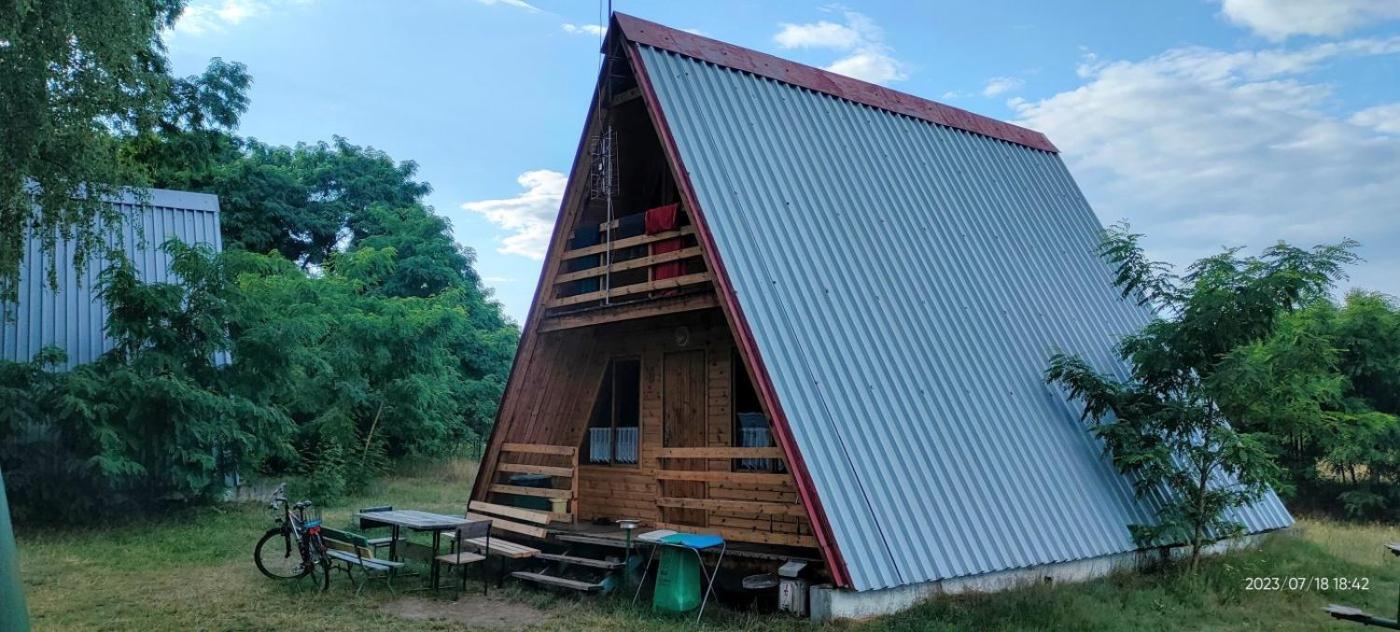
(629, 397)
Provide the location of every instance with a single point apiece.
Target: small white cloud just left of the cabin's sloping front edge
(528, 217)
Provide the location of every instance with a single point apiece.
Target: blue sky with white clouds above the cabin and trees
(1205, 124)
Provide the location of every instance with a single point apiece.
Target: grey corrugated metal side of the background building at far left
(73, 317)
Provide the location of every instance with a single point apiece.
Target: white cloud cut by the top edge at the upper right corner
(1279, 20)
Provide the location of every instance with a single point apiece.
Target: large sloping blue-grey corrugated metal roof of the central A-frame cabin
(906, 284)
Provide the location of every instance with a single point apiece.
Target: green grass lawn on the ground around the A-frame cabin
(194, 571)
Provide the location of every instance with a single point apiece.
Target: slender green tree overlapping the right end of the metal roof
(1163, 425)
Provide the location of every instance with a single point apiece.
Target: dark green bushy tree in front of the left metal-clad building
(150, 423)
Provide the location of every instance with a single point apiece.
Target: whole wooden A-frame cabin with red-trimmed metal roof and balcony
(813, 315)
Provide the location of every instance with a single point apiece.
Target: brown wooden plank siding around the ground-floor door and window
(563, 380)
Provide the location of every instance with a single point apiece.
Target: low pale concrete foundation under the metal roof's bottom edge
(829, 603)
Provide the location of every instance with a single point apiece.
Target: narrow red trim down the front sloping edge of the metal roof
(743, 336)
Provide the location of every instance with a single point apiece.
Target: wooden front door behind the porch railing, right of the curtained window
(684, 423)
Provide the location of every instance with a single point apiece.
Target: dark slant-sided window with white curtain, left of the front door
(614, 428)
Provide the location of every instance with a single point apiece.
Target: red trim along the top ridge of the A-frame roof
(729, 55)
